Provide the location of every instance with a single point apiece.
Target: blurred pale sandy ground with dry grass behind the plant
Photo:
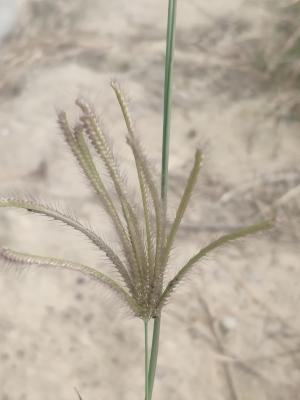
(233, 330)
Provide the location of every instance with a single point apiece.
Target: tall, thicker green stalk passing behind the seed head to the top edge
(170, 44)
